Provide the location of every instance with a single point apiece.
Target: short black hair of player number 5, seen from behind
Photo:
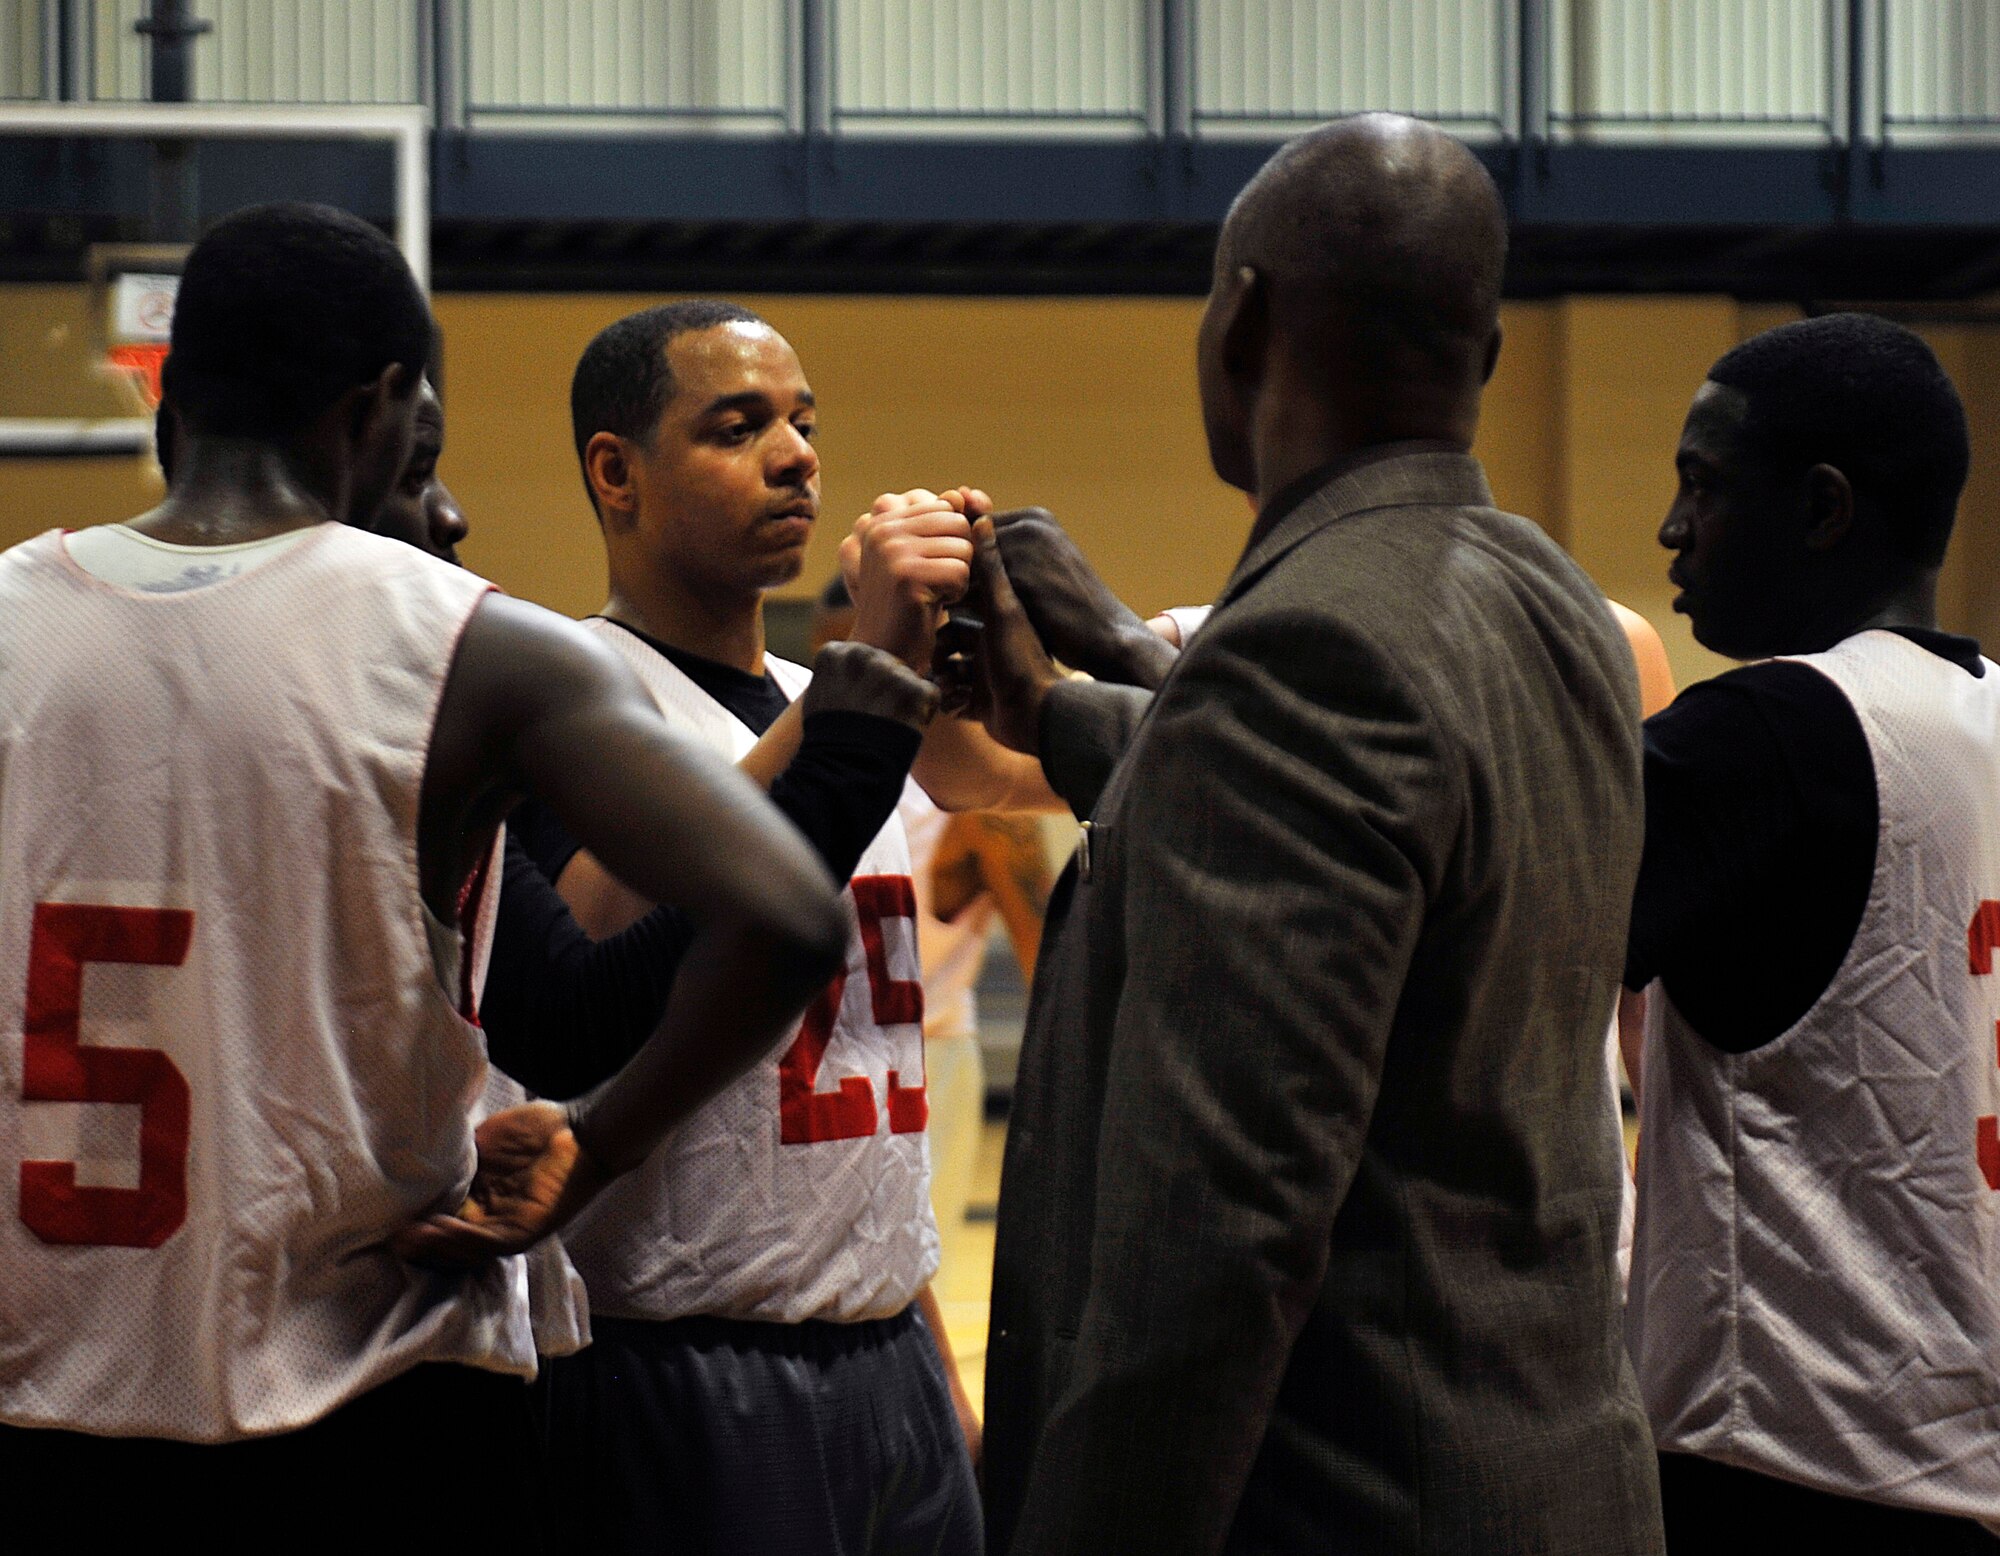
(283, 309)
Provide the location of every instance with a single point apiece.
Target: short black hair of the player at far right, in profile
(1869, 399)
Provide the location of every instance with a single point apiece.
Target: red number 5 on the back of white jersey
(57, 1067)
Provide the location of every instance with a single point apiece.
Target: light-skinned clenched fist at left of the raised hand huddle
(911, 563)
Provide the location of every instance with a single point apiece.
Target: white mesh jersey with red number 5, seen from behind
(229, 1071)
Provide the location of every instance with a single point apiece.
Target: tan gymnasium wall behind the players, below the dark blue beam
(1083, 405)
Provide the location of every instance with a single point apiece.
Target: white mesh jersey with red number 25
(803, 1191)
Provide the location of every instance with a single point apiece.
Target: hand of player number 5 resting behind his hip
(531, 1181)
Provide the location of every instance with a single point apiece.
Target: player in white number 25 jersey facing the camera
(759, 1377)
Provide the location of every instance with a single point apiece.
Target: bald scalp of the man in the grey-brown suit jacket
(1381, 225)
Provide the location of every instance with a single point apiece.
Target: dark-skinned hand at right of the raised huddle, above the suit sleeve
(1073, 609)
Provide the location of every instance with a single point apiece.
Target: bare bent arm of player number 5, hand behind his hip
(535, 705)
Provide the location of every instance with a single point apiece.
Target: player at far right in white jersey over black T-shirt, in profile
(1815, 1299)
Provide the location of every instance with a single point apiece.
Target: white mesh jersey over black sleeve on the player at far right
(1817, 1273)
